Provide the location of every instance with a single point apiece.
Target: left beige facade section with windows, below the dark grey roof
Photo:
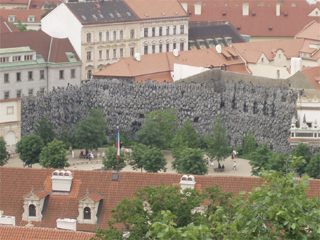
(126, 43)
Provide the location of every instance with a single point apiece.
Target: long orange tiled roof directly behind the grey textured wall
(160, 64)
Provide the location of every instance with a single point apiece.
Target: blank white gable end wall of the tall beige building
(61, 23)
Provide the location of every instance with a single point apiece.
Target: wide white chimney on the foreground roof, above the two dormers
(61, 181)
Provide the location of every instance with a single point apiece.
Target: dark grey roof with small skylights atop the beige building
(102, 12)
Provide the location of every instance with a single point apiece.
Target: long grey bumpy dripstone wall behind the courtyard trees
(243, 105)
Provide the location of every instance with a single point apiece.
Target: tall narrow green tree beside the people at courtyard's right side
(218, 146)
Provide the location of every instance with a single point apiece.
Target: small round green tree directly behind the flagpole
(110, 161)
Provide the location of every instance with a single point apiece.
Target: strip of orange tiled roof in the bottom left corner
(17, 233)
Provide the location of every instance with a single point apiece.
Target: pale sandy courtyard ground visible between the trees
(243, 166)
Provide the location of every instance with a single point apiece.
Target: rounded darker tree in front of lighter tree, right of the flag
(150, 135)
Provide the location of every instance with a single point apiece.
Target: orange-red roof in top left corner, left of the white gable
(22, 14)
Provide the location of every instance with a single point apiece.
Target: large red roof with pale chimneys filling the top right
(262, 20)
